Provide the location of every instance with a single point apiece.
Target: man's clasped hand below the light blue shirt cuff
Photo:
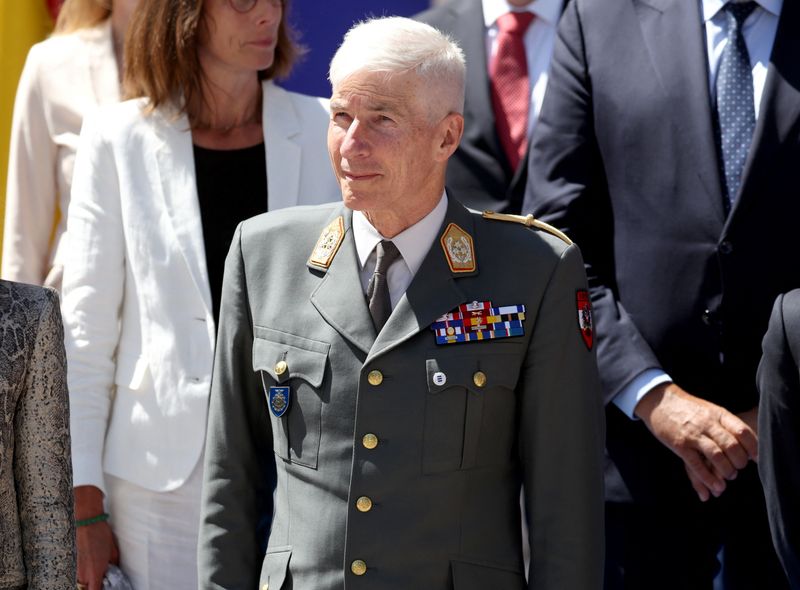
(713, 443)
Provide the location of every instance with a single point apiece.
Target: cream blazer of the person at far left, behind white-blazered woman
(64, 78)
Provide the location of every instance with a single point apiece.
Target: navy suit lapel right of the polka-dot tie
(780, 107)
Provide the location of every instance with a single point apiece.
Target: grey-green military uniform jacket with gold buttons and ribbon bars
(398, 462)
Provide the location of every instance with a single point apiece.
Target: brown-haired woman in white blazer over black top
(158, 181)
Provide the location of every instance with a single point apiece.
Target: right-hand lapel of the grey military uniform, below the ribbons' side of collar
(433, 292)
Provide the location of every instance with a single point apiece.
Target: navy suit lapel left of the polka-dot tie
(672, 31)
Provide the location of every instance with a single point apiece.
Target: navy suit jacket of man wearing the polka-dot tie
(623, 158)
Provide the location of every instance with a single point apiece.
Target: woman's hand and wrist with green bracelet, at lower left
(96, 545)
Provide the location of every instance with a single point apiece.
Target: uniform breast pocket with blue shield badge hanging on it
(297, 366)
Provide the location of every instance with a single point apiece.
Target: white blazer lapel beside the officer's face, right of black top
(281, 126)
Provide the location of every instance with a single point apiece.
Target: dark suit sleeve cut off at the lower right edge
(779, 430)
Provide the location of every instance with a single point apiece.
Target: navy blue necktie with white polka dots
(735, 109)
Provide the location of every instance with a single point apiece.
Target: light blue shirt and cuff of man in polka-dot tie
(759, 31)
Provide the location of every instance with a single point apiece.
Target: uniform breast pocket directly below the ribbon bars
(469, 410)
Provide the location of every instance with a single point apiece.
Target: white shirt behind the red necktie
(540, 38)
